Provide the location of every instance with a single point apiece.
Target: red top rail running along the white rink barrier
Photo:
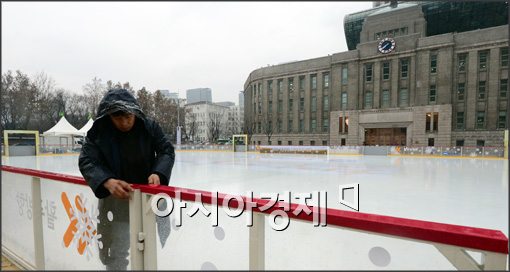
(455, 235)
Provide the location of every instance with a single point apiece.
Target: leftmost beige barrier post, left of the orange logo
(37, 224)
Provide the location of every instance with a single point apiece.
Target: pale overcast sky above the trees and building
(167, 45)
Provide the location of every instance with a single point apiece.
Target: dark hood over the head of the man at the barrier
(119, 100)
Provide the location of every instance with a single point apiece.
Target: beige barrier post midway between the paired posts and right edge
(257, 242)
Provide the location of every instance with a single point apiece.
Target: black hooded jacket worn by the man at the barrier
(100, 157)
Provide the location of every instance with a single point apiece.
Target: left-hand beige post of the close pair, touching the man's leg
(136, 237)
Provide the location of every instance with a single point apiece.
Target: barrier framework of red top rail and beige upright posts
(450, 240)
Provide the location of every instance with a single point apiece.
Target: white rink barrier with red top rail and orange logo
(347, 240)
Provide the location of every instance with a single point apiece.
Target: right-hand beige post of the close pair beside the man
(149, 229)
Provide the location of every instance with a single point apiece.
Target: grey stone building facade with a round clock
(398, 87)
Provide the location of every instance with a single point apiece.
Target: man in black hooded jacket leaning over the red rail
(122, 147)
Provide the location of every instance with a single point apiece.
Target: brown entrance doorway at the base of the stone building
(385, 136)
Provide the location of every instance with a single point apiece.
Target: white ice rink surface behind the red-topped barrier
(471, 192)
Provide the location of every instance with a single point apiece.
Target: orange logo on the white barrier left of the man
(82, 228)
